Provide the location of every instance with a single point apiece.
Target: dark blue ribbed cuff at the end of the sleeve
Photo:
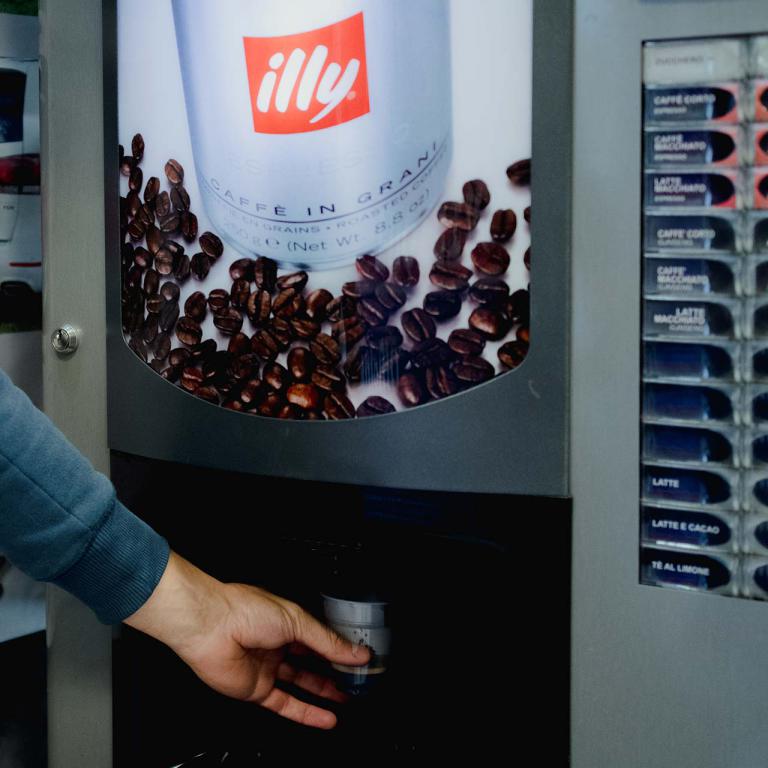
(121, 567)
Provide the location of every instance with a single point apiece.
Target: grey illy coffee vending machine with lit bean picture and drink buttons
(310, 357)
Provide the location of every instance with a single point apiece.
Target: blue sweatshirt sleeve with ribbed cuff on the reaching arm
(61, 522)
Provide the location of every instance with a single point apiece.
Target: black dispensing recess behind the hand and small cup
(479, 602)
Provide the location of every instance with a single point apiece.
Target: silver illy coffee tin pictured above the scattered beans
(320, 131)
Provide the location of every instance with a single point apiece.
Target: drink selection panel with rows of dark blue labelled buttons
(704, 347)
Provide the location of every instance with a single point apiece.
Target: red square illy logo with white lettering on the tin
(308, 81)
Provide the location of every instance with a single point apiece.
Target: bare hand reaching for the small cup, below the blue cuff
(236, 638)
